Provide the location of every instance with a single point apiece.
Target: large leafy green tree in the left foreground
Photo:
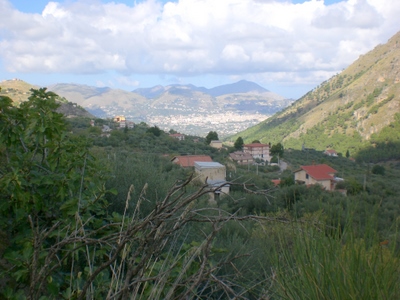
(50, 188)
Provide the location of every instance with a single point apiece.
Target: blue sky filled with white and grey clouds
(286, 46)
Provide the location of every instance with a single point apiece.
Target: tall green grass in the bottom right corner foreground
(312, 264)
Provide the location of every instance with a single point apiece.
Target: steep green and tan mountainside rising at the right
(353, 110)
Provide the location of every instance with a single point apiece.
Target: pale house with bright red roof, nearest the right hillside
(321, 174)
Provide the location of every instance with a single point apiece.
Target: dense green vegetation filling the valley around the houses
(87, 215)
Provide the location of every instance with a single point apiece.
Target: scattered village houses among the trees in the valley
(252, 154)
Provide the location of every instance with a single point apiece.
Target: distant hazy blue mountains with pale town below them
(186, 108)
